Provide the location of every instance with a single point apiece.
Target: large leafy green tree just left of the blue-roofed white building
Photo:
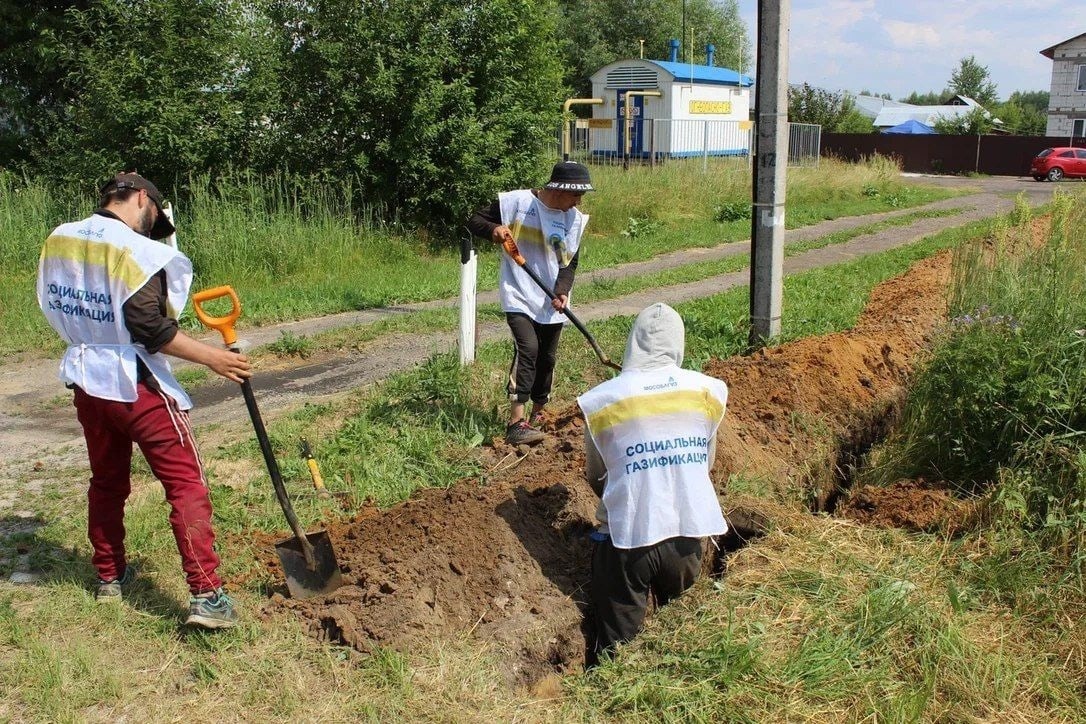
(433, 107)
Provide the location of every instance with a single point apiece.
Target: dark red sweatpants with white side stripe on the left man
(162, 431)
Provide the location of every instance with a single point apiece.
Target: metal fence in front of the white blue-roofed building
(661, 141)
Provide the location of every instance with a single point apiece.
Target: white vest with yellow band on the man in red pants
(89, 270)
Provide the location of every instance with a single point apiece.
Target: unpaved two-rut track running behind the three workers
(37, 425)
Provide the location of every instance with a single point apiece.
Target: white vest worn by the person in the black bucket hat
(548, 240)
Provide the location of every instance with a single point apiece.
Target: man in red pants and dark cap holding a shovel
(113, 294)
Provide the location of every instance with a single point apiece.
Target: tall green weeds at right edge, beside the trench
(1002, 399)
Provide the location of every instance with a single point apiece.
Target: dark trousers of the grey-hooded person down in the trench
(622, 580)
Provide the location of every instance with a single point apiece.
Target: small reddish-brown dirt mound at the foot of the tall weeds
(915, 505)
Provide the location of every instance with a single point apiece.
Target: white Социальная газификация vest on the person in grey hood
(653, 430)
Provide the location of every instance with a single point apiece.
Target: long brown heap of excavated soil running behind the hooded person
(508, 561)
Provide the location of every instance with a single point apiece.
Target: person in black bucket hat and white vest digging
(545, 227)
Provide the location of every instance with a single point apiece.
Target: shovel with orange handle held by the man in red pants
(308, 561)
